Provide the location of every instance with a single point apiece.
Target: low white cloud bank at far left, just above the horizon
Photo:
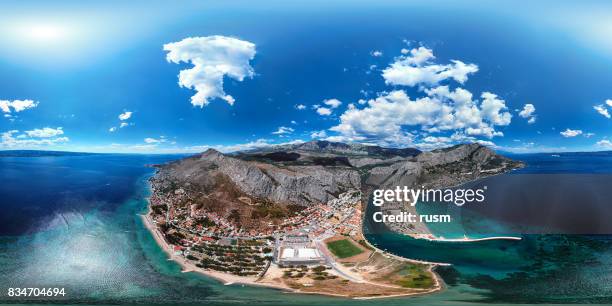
(32, 138)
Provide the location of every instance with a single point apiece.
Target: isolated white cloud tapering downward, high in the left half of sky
(213, 58)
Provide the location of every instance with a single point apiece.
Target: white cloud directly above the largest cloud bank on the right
(417, 68)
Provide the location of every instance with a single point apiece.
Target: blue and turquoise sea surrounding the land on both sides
(73, 222)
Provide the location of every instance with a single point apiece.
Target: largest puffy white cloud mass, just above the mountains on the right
(386, 118)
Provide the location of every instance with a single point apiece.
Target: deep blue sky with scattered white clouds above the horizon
(155, 77)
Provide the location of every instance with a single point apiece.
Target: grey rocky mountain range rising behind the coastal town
(272, 182)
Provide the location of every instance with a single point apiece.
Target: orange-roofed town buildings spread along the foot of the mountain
(214, 242)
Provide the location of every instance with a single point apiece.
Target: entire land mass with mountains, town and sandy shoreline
(290, 217)
